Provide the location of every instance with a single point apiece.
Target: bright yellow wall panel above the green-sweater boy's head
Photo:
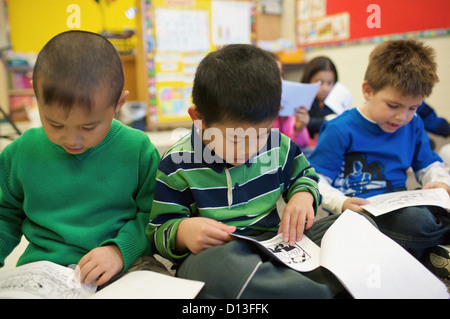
(34, 23)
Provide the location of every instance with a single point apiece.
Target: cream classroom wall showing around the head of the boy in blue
(351, 62)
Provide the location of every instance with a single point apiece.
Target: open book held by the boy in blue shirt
(385, 203)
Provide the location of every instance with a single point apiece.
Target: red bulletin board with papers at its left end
(323, 22)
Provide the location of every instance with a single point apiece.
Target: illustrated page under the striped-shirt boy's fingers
(303, 256)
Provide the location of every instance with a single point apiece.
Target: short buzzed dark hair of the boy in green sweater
(75, 65)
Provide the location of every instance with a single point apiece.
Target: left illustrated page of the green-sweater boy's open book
(42, 280)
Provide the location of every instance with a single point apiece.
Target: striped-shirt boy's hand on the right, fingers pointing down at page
(299, 210)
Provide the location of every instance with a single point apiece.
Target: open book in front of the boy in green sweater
(47, 280)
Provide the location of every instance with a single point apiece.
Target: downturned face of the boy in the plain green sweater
(79, 130)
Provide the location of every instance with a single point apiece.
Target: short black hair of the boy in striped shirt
(238, 83)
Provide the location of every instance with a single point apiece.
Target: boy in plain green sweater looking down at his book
(80, 188)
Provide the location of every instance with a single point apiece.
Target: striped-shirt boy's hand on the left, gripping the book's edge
(199, 233)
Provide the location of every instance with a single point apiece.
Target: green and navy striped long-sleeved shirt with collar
(245, 196)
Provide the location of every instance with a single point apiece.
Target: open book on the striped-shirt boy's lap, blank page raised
(368, 263)
